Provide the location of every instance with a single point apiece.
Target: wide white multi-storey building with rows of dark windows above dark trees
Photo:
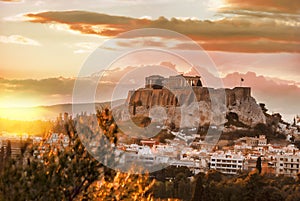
(227, 163)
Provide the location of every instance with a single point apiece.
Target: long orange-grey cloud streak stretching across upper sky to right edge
(229, 34)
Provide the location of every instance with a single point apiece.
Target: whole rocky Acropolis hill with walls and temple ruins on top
(187, 103)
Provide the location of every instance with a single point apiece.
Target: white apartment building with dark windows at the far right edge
(288, 165)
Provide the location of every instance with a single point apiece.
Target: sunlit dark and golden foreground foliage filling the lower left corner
(70, 173)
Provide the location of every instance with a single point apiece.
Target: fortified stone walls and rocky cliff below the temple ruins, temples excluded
(193, 105)
